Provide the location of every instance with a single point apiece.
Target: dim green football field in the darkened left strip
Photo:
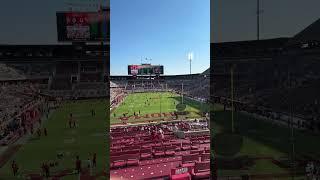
(88, 138)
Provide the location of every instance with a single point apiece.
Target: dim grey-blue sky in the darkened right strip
(235, 20)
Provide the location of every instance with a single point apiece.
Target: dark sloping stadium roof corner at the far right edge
(310, 33)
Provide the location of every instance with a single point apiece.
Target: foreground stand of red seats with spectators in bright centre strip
(155, 151)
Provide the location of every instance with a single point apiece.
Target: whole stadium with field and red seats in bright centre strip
(159, 125)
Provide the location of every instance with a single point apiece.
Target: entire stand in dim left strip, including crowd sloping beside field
(31, 76)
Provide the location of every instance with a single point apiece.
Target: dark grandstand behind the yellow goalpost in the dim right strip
(268, 76)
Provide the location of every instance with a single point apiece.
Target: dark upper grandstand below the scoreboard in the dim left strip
(70, 71)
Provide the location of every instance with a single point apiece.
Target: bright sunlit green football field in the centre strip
(154, 102)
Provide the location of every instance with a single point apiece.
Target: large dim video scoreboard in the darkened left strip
(83, 26)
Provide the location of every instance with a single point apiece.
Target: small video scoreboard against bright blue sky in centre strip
(145, 69)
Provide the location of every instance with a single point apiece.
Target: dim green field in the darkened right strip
(264, 139)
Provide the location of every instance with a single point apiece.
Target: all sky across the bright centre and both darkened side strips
(164, 30)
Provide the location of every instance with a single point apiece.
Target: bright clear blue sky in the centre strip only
(163, 30)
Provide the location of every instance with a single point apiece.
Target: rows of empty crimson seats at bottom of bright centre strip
(136, 150)
